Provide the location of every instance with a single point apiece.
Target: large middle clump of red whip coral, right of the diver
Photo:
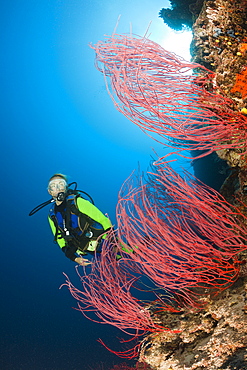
(187, 235)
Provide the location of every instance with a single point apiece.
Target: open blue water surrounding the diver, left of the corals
(56, 116)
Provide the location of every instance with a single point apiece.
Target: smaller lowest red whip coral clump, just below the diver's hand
(106, 293)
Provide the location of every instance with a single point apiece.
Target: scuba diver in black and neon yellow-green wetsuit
(78, 226)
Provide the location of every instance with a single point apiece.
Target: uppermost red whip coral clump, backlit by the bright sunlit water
(154, 88)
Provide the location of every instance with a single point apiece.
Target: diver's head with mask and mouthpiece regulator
(57, 187)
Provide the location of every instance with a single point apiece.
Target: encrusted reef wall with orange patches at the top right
(220, 44)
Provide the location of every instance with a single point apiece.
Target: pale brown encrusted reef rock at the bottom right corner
(213, 338)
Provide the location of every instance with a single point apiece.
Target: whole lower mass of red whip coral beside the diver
(179, 233)
